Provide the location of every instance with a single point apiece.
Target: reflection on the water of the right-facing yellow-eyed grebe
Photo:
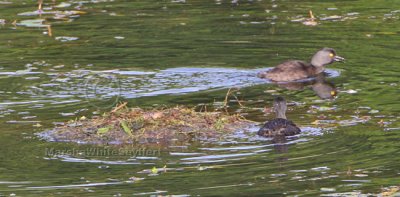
(322, 88)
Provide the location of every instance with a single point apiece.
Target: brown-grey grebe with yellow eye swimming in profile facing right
(296, 70)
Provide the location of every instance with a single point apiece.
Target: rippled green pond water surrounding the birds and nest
(154, 53)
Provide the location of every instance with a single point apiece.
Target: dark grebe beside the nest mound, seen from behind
(280, 125)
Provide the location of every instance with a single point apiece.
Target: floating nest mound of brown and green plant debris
(135, 125)
